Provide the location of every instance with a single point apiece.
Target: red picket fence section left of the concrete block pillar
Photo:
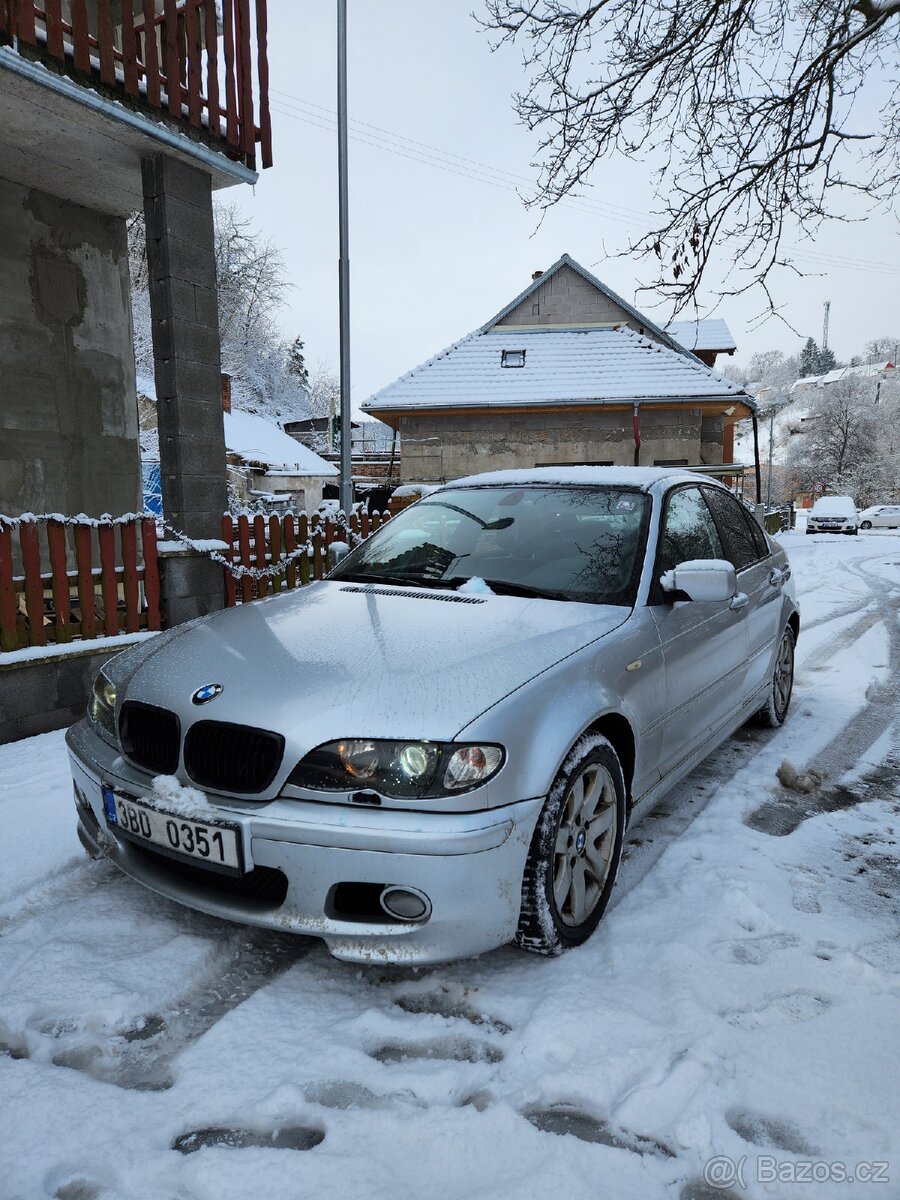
(63, 581)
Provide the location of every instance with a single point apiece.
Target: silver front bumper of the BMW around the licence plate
(470, 866)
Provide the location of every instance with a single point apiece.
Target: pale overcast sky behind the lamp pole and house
(440, 238)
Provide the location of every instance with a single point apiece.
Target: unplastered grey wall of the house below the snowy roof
(447, 446)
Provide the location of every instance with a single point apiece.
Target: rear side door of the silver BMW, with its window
(747, 549)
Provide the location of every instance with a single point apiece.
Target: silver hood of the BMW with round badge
(349, 661)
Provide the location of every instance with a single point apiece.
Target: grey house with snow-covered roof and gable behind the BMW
(567, 374)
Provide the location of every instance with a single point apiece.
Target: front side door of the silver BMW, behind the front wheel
(704, 644)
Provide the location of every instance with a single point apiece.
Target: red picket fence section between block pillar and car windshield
(273, 543)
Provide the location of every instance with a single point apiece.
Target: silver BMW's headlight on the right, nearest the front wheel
(405, 771)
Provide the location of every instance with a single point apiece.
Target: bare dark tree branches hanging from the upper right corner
(751, 112)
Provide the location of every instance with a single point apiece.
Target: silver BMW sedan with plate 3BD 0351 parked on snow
(437, 749)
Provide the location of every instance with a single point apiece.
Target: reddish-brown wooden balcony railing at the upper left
(176, 57)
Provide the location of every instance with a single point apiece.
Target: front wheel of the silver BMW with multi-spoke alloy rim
(575, 851)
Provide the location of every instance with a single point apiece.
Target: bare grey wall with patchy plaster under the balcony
(69, 430)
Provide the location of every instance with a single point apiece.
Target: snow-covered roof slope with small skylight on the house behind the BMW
(561, 367)
